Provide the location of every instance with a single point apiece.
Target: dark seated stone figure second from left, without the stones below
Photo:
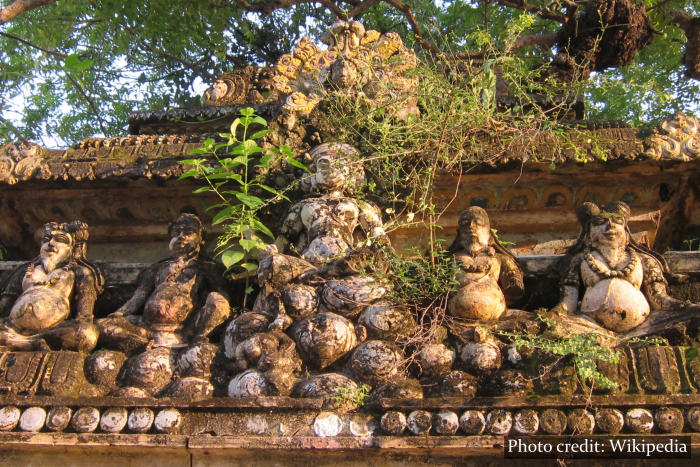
(178, 301)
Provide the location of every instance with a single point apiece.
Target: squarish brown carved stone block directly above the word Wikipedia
(657, 369)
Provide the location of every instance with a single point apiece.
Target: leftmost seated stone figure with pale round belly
(48, 303)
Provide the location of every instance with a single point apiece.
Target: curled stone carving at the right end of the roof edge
(675, 139)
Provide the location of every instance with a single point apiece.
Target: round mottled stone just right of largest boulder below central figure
(376, 362)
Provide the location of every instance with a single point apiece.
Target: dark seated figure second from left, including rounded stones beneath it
(165, 325)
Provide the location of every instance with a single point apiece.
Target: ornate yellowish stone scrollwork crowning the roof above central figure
(361, 63)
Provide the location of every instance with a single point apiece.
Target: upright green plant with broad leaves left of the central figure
(236, 171)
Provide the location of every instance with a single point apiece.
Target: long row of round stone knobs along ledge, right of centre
(549, 421)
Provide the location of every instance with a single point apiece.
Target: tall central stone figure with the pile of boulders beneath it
(317, 294)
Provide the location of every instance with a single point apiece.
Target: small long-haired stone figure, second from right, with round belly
(488, 275)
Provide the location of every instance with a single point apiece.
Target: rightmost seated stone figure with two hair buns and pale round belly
(620, 283)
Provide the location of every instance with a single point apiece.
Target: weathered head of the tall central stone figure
(332, 169)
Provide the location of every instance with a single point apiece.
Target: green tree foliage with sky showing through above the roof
(72, 69)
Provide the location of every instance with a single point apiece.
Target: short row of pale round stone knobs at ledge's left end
(89, 419)
